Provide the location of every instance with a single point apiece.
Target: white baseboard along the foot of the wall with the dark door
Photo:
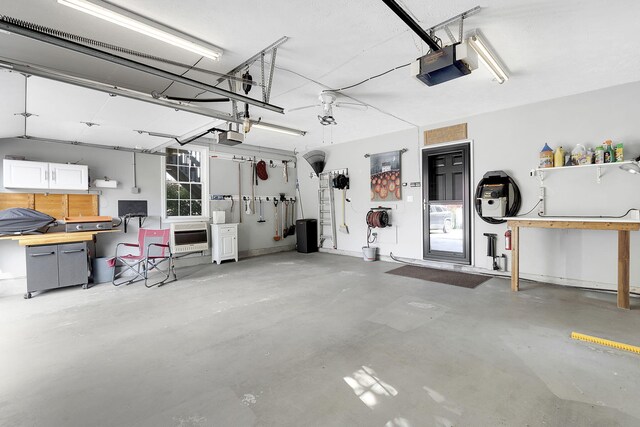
(478, 270)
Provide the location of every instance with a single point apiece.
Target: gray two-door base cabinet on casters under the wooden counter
(56, 266)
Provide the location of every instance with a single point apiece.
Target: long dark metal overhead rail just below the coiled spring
(135, 65)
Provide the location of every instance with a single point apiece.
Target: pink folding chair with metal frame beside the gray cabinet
(153, 251)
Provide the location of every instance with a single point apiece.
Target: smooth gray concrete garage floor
(294, 340)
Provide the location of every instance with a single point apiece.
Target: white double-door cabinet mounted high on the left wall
(40, 175)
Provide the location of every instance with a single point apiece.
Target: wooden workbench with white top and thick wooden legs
(622, 226)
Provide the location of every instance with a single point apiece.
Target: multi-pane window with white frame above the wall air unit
(185, 179)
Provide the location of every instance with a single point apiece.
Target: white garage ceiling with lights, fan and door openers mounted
(550, 48)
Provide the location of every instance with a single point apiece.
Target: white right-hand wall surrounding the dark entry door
(510, 140)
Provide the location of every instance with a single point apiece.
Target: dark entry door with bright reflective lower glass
(446, 204)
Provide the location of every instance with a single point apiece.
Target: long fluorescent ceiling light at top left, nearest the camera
(144, 26)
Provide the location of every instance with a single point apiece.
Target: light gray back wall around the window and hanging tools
(253, 237)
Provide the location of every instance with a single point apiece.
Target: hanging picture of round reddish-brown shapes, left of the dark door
(385, 176)
